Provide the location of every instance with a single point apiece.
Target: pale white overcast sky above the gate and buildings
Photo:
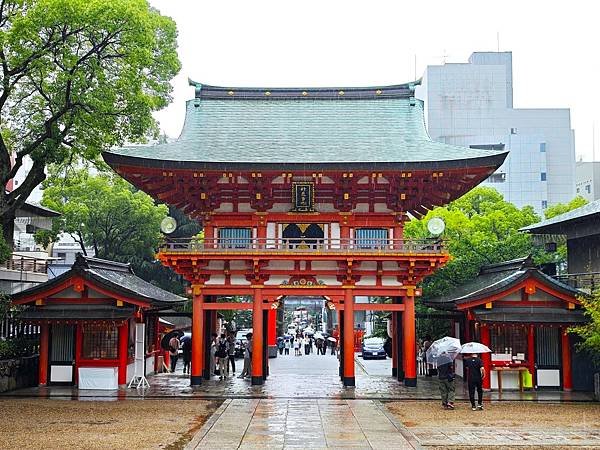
(555, 45)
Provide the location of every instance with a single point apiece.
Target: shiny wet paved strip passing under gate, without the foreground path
(304, 376)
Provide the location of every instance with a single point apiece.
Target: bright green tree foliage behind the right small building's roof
(481, 228)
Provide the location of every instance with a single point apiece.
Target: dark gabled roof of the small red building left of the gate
(115, 276)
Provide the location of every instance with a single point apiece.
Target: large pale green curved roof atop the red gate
(364, 125)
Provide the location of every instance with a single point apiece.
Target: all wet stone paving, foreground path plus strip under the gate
(304, 405)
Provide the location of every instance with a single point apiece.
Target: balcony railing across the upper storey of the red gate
(308, 246)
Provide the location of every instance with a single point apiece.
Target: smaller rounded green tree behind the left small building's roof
(106, 213)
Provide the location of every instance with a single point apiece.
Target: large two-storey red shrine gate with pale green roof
(304, 192)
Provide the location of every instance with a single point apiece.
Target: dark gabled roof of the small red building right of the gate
(496, 278)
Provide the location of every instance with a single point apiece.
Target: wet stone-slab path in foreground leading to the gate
(307, 424)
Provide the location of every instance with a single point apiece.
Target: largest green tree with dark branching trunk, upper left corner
(77, 77)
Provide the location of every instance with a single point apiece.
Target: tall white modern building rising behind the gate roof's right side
(471, 104)
